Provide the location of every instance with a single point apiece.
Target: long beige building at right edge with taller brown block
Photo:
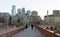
(54, 18)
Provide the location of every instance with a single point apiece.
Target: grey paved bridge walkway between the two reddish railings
(28, 33)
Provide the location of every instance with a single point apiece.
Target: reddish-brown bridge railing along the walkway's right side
(45, 33)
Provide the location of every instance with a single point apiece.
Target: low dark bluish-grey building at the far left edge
(4, 18)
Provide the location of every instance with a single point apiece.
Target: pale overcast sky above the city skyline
(41, 6)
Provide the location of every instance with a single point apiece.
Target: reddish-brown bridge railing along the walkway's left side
(12, 33)
